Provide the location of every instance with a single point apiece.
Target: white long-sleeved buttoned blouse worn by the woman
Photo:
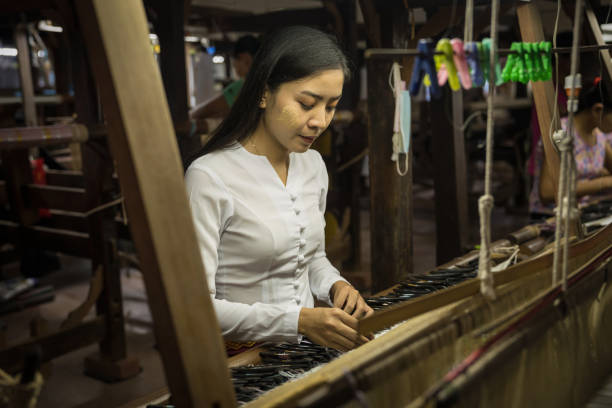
(262, 242)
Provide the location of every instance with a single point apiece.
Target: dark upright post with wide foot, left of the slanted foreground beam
(112, 362)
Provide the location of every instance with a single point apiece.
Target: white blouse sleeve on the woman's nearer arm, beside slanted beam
(212, 209)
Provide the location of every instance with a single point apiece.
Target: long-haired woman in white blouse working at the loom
(258, 197)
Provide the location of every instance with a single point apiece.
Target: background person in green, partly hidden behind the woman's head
(218, 107)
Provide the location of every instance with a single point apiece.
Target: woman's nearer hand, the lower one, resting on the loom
(330, 327)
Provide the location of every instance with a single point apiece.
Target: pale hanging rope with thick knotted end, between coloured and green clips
(485, 203)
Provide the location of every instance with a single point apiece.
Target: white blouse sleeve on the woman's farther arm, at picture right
(321, 273)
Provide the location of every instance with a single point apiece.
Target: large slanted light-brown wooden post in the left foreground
(142, 142)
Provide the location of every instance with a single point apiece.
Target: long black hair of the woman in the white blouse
(286, 55)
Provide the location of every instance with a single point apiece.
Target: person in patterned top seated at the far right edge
(592, 152)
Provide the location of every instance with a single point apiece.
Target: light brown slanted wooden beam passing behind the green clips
(530, 23)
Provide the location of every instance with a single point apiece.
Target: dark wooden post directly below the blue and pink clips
(450, 175)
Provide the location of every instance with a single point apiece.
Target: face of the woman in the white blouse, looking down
(299, 111)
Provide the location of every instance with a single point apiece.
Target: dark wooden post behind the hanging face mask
(391, 194)
